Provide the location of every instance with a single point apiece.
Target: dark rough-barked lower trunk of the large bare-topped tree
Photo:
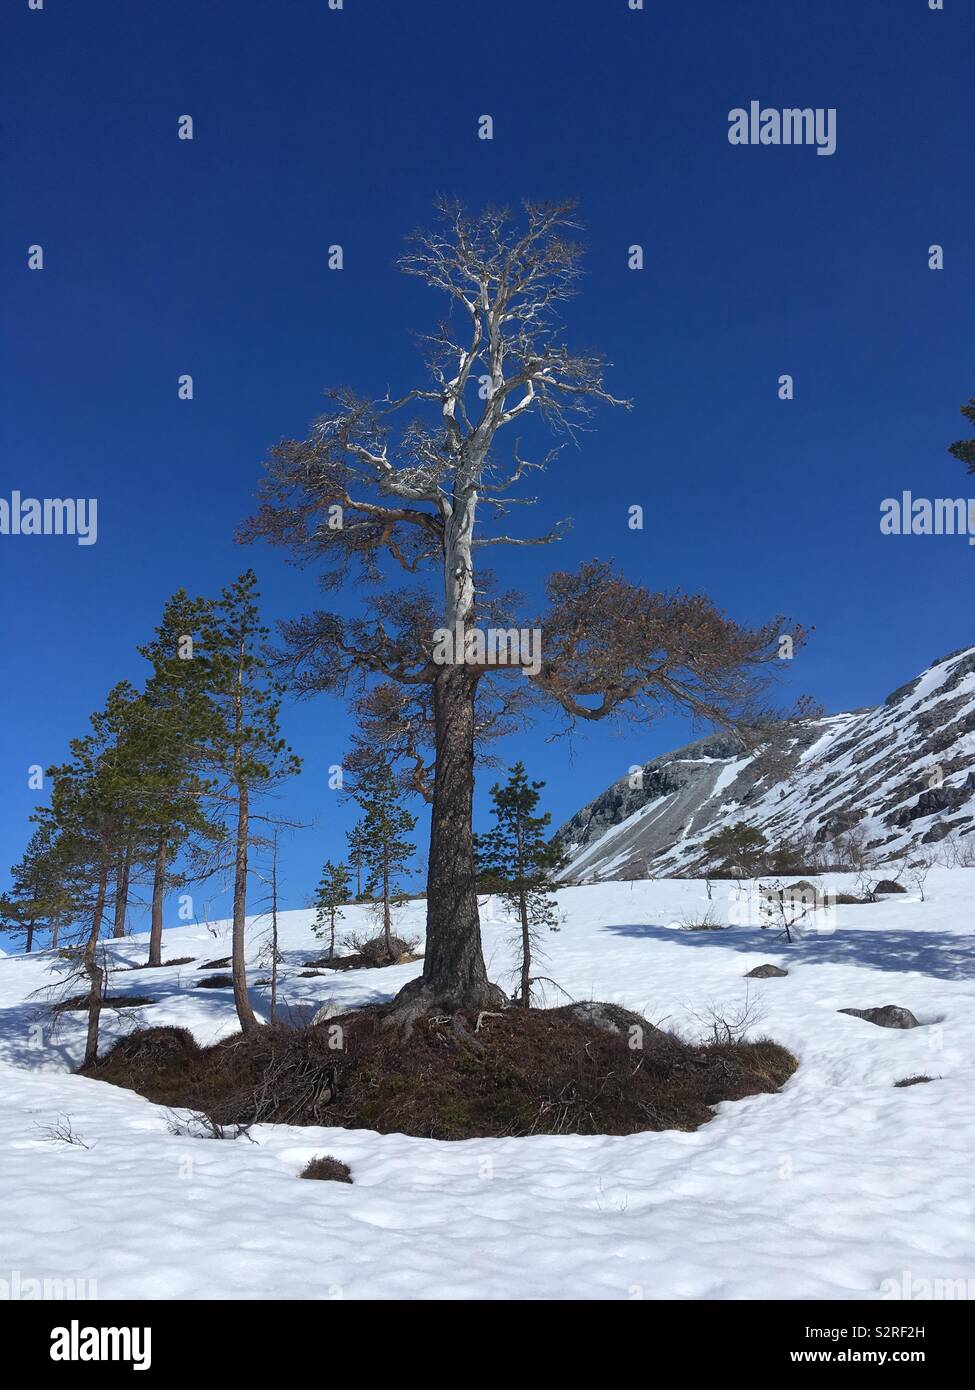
(454, 976)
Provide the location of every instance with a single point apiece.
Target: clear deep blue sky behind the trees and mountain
(315, 127)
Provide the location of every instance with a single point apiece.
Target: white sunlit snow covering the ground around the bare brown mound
(842, 1186)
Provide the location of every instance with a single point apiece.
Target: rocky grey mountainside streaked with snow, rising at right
(905, 772)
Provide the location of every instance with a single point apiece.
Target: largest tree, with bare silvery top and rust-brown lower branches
(418, 483)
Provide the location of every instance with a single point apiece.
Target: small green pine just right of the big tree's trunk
(519, 862)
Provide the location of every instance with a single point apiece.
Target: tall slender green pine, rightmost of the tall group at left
(250, 750)
